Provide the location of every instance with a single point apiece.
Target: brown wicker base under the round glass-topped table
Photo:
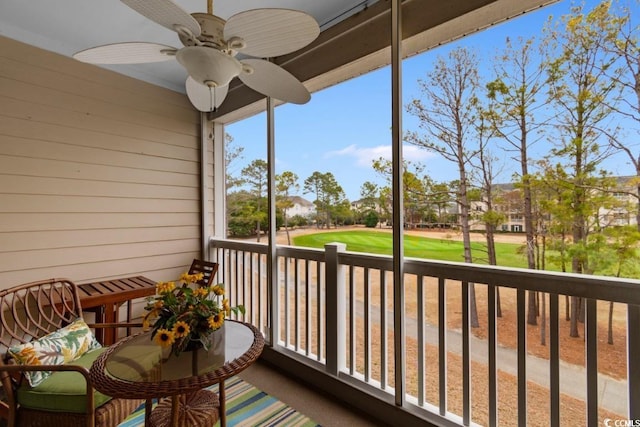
(201, 409)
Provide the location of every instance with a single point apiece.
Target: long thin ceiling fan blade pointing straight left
(126, 53)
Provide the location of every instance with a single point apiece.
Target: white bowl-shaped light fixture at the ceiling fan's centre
(209, 65)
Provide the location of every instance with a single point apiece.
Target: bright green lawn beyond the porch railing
(378, 242)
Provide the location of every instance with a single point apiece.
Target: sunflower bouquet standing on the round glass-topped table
(185, 314)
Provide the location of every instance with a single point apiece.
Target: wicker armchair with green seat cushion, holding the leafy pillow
(29, 312)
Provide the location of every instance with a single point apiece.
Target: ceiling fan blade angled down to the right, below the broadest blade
(274, 81)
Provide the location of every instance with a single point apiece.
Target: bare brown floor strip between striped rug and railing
(323, 409)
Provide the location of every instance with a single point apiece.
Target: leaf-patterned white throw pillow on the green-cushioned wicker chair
(57, 348)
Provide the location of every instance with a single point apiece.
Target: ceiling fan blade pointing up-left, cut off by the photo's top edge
(166, 13)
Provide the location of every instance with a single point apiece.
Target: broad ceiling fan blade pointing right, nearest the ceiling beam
(272, 32)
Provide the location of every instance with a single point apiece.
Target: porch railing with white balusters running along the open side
(334, 309)
